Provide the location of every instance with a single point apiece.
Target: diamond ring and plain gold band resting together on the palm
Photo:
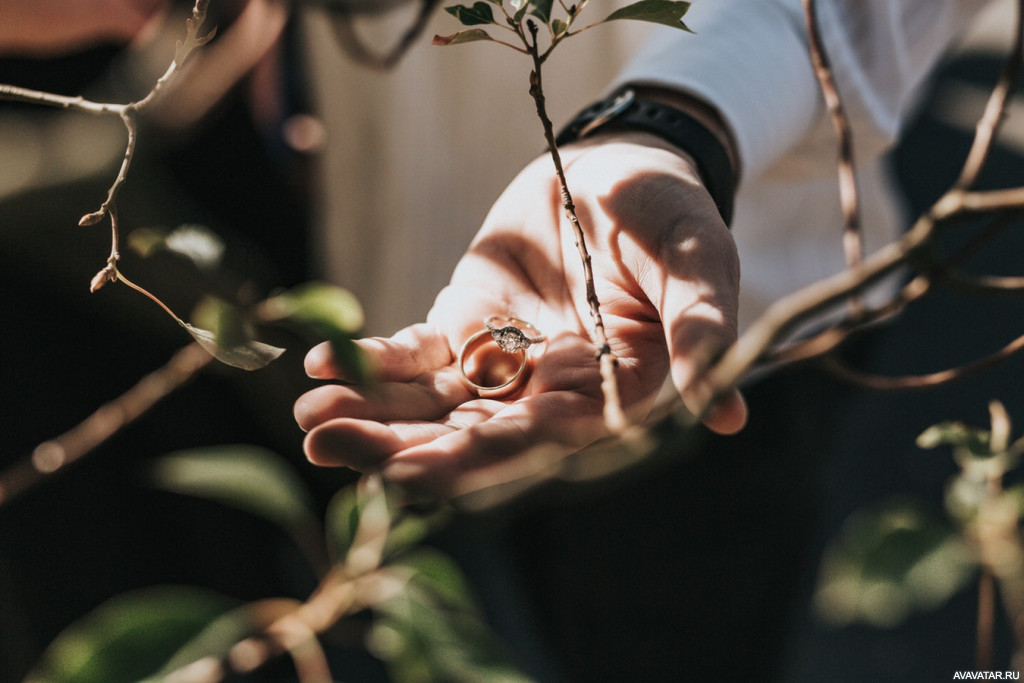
(501, 374)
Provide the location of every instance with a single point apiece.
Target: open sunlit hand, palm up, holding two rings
(666, 273)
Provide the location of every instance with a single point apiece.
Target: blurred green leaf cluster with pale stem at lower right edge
(901, 558)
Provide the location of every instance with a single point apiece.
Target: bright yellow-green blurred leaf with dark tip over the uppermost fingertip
(327, 313)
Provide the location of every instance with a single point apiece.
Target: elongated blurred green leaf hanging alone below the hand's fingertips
(245, 478)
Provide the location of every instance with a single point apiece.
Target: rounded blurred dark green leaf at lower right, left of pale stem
(889, 563)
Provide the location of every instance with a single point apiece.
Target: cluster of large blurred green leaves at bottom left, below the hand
(425, 621)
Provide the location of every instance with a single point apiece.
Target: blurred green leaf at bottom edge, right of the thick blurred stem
(433, 629)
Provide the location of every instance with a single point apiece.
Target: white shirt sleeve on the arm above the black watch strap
(750, 60)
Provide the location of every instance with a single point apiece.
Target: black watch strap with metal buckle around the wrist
(624, 111)
